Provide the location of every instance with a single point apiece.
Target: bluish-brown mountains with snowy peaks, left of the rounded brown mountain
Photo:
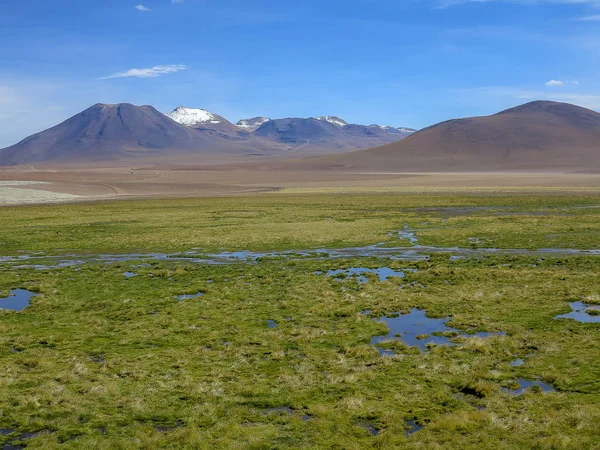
(111, 132)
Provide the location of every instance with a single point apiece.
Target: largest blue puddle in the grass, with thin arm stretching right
(417, 330)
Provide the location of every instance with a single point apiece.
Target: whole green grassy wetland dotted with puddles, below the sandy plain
(273, 352)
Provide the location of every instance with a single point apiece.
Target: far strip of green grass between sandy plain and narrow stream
(275, 222)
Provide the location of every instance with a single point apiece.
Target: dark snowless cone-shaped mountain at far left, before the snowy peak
(111, 132)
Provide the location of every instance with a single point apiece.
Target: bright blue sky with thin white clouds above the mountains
(401, 62)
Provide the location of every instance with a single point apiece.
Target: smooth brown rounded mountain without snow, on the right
(541, 135)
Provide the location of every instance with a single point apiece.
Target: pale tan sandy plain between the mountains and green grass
(59, 184)
